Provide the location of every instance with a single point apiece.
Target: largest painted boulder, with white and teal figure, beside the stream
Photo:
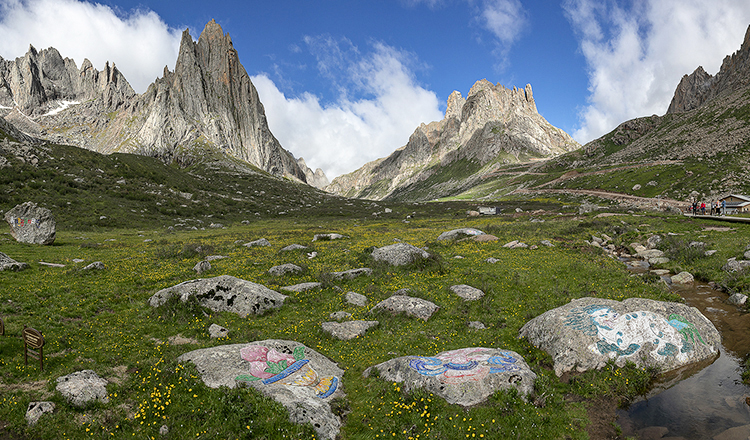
(585, 333)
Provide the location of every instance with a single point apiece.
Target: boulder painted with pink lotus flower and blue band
(301, 379)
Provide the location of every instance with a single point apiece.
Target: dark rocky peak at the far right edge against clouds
(699, 87)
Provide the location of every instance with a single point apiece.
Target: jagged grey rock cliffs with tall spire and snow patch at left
(206, 106)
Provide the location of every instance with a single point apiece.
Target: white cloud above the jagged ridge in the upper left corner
(139, 43)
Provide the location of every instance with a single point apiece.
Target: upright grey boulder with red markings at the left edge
(31, 224)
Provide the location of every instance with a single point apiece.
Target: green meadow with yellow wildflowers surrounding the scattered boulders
(100, 320)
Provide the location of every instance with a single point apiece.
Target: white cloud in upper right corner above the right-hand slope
(636, 55)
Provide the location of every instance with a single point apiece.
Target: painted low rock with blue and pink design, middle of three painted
(464, 377)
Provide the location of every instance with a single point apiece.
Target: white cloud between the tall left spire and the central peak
(344, 135)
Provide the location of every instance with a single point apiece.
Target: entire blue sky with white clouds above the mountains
(345, 82)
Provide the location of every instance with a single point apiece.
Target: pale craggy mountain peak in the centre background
(492, 126)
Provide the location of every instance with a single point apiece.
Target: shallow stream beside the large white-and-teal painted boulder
(710, 401)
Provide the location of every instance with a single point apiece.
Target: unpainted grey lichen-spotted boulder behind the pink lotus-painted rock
(224, 294)
